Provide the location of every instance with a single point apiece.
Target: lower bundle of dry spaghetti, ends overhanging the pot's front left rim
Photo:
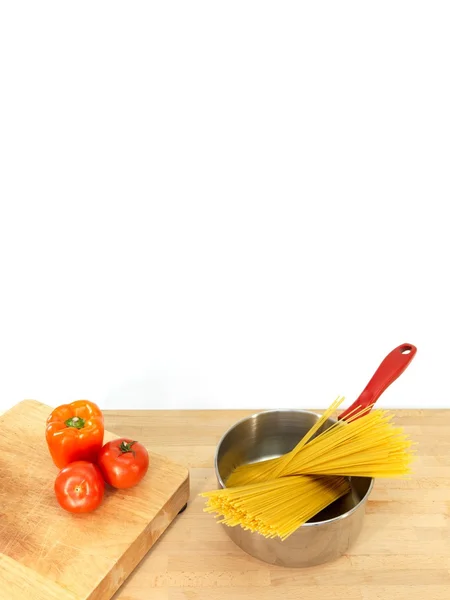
(278, 507)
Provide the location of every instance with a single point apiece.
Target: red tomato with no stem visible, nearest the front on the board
(79, 487)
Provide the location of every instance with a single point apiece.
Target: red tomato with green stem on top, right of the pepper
(123, 462)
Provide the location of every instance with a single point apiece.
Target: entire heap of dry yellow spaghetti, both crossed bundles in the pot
(274, 497)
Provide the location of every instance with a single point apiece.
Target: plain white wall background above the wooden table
(234, 204)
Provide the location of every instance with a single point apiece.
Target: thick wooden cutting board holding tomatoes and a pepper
(47, 553)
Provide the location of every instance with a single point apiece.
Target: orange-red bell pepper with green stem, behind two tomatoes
(75, 432)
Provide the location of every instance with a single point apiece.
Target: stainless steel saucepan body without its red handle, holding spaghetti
(327, 536)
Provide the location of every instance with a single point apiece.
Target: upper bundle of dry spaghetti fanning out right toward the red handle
(367, 444)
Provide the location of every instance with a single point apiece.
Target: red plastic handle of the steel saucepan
(389, 370)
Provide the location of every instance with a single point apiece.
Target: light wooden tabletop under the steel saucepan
(403, 552)
